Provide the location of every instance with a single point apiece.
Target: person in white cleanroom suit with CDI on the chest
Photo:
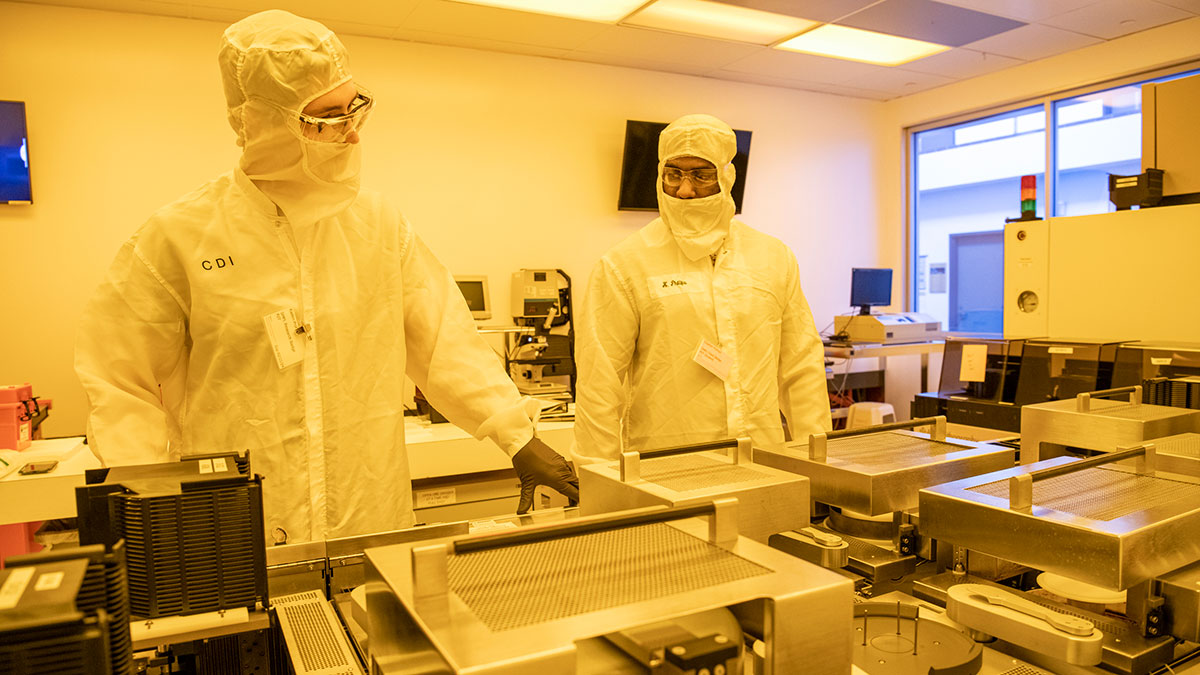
(280, 307)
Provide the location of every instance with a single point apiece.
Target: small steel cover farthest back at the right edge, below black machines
(1093, 422)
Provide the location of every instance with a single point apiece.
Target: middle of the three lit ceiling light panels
(721, 21)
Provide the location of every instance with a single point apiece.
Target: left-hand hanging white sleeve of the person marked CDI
(131, 342)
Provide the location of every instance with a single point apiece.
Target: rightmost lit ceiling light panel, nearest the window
(867, 46)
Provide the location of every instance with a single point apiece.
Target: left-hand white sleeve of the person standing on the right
(605, 343)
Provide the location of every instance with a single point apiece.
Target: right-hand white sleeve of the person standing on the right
(803, 391)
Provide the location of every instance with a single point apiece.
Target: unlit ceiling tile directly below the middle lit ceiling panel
(658, 46)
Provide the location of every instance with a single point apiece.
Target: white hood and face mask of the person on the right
(700, 225)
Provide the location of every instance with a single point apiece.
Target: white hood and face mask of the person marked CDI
(273, 64)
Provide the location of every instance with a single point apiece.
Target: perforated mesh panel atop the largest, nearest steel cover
(543, 582)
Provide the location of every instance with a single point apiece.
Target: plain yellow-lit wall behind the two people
(501, 162)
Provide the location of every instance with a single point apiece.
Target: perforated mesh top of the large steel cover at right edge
(1100, 494)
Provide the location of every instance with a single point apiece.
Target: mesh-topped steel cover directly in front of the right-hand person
(770, 500)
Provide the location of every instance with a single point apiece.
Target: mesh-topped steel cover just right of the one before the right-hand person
(883, 473)
